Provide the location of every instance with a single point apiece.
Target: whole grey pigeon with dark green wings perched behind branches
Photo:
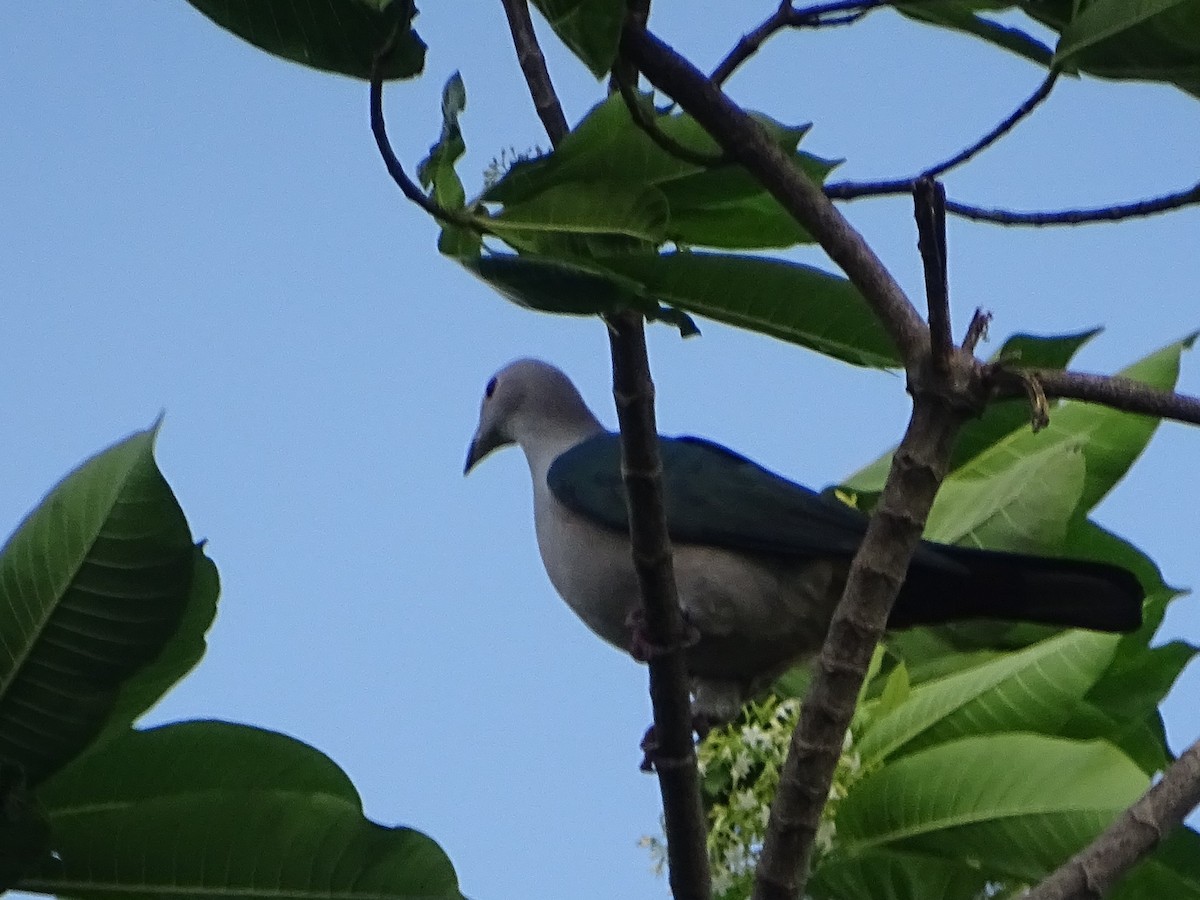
(760, 562)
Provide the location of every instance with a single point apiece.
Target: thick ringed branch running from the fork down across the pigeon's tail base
(875, 578)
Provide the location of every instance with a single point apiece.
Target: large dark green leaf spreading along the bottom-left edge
(220, 811)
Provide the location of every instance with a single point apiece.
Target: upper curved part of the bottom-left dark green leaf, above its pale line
(190, 758)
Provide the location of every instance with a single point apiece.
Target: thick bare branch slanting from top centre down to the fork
(747, 143)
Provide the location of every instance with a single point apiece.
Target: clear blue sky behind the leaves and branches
(194, 226)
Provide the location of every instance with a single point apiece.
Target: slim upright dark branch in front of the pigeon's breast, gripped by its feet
(675, 754)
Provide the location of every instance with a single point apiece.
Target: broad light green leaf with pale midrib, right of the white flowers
(1003, 802)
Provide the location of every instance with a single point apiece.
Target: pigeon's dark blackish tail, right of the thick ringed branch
(1067, 593)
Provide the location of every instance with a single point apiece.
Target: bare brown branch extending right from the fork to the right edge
(1109, 391)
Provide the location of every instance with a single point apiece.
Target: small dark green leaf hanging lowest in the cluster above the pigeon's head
(574, 289)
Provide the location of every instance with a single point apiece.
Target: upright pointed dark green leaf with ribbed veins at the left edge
(93, 586)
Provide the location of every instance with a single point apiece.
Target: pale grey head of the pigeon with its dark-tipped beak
(527, 403)
